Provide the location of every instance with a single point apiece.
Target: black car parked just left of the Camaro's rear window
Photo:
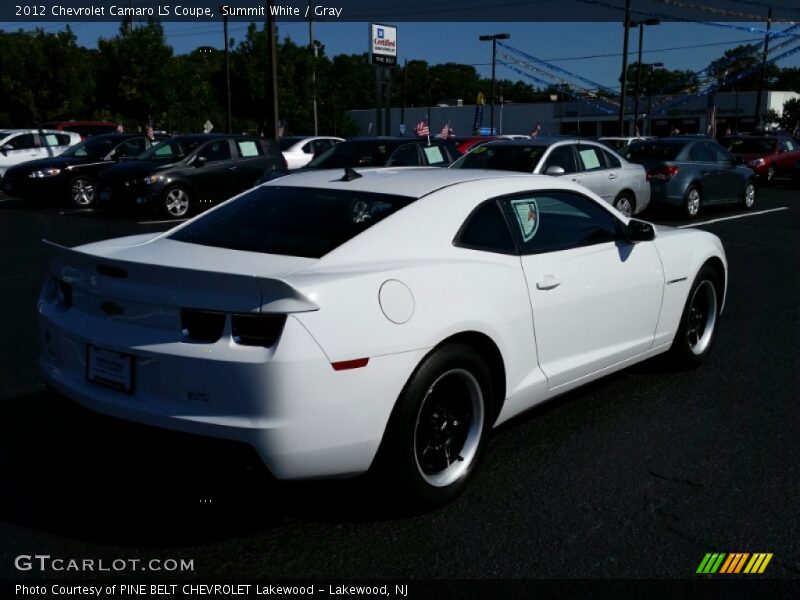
(187, 173)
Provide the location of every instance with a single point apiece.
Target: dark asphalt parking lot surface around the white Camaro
(636, 476)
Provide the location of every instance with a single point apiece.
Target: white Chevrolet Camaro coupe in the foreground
(340, 322)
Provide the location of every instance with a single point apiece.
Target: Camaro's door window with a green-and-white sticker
(551, 221)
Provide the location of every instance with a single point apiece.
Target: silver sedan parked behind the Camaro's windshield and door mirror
(591, 164)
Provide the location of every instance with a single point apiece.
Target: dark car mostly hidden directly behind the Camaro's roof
(385, 152)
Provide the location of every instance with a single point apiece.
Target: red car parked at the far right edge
(768, 156)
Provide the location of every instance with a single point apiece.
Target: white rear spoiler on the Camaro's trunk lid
(162, 285)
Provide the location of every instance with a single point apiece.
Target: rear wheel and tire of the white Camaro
(438, 428)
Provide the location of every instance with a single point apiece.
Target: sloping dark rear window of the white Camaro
(293, 221)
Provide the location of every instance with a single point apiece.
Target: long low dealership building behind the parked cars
(658, 115)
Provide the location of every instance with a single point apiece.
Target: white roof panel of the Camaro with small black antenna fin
(414, 182)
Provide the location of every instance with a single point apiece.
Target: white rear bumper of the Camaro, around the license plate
(304, 419)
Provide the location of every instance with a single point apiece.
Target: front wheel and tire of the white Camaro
(697, 328)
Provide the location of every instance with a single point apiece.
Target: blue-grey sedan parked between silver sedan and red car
(688, 172)
